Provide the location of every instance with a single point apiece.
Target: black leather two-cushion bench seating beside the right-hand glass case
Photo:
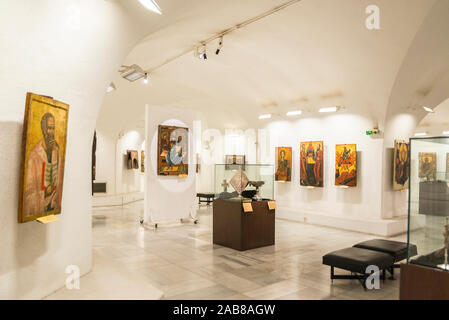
(378, 252)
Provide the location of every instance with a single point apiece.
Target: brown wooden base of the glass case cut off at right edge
(423, 283)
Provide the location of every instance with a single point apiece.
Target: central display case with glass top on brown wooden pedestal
(244, 209)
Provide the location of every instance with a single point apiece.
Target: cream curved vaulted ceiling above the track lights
(314, 53)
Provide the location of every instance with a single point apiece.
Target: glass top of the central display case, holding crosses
(244, 182)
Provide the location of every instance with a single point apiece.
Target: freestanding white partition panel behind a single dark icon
(168, 198)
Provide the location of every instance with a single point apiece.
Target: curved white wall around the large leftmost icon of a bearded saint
(68, 49)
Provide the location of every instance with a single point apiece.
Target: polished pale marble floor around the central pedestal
(181, 261)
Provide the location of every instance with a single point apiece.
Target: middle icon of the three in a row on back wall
(311, 164)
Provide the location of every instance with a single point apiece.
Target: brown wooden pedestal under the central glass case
(236, 229)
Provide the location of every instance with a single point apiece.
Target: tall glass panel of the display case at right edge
(429, 201)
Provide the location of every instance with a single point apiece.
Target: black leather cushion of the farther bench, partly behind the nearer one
(395, 248)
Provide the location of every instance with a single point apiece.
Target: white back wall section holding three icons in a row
(362, 201)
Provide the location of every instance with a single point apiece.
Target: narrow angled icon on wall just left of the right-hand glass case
(401, 165)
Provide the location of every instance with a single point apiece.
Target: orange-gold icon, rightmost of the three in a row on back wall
(346, 165)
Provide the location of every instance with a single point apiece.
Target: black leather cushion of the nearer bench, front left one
(358, 259)
